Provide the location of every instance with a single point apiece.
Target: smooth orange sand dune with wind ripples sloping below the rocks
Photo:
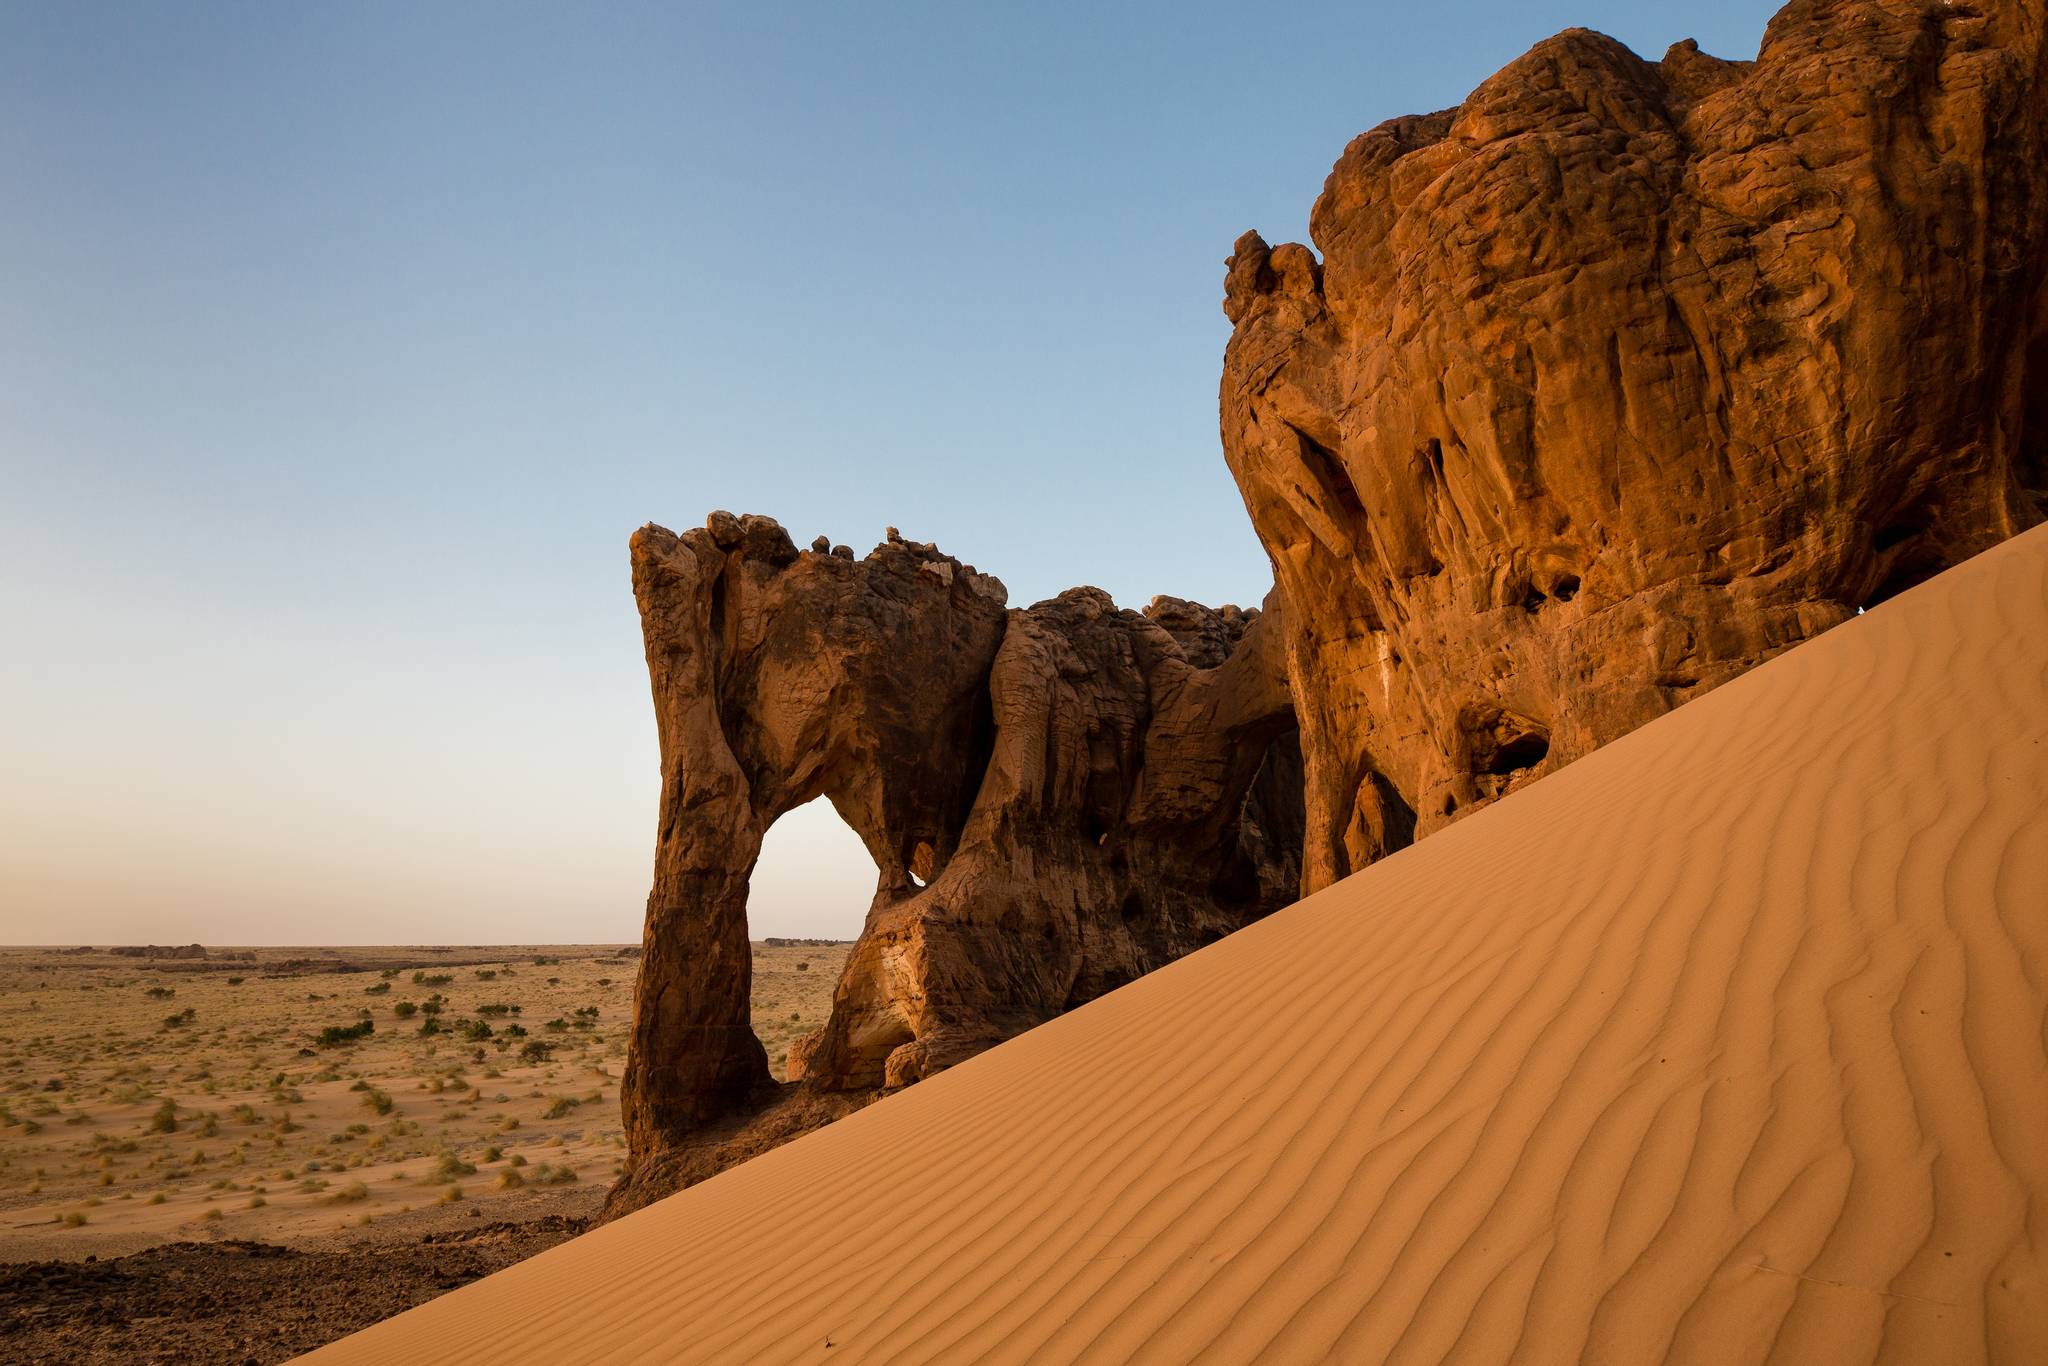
(1721, 1045)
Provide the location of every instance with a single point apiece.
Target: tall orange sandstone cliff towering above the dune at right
(1623, 378)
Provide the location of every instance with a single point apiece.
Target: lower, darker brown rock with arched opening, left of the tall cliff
(1058, 800)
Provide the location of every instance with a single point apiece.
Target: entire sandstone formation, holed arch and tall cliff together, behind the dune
(1607, 386)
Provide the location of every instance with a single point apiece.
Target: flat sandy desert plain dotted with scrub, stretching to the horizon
(349, 1103)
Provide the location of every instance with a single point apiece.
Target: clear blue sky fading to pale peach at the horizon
(343, 347)
